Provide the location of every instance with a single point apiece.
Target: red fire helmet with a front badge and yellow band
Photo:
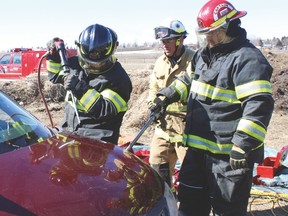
(216, 13)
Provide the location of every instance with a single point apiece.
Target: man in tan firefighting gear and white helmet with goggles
(166, 145)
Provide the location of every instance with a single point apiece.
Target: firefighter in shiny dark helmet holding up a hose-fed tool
(99, 85)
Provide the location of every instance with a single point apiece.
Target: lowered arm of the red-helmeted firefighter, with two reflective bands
(257, 105)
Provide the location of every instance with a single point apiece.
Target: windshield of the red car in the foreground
(18, 128)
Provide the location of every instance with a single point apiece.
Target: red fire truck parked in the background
(21, 62)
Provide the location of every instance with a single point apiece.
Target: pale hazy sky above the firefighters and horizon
(32, 23)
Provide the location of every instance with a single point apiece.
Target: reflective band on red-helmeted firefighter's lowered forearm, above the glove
(252, 129)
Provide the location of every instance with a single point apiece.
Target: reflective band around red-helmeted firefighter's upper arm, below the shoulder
(258, 86)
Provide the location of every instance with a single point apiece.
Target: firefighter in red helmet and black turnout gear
(229, 108)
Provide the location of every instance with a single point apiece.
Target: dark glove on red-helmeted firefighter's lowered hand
(238, 158)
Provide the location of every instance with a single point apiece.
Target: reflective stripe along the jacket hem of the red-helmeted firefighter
(207, 145)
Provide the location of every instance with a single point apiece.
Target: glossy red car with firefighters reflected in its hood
(46, 172)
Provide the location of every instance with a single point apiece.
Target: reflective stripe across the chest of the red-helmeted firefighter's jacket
(213, 92)
